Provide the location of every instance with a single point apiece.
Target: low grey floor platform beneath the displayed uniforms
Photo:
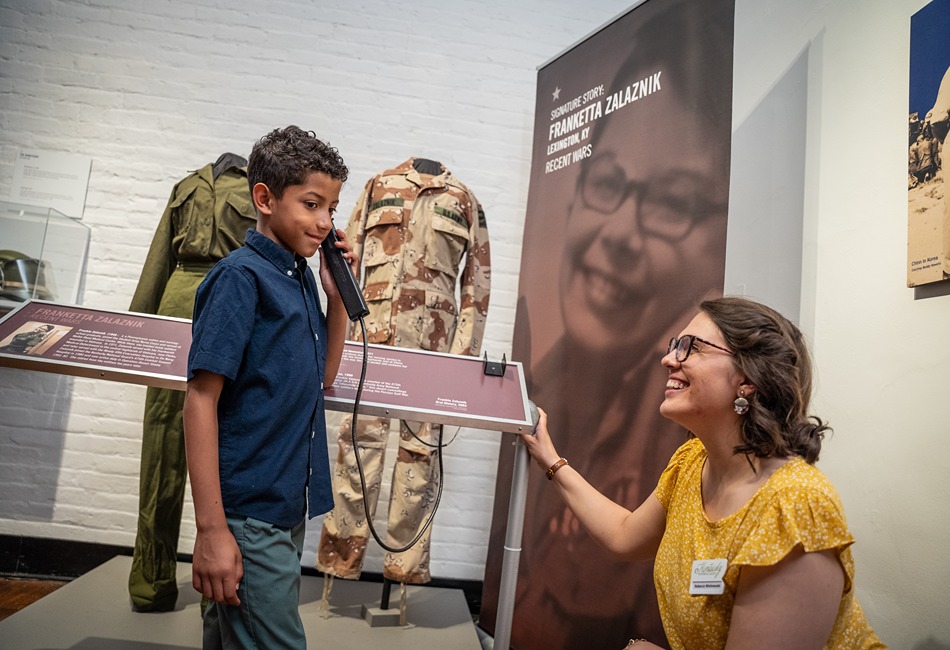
(93, 613)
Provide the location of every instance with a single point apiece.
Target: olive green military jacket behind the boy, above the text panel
(205, 219)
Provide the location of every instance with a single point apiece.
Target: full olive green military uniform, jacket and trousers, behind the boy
(206, 218)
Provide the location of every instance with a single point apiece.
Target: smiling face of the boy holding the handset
(300, 219)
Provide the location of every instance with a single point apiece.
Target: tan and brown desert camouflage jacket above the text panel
(422, 240)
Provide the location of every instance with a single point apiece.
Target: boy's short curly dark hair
(285, 157)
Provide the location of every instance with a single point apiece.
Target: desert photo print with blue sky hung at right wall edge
(928, 210)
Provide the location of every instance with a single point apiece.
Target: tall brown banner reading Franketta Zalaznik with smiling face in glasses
(625, 233)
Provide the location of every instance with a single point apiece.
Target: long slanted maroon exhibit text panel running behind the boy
(153, 351)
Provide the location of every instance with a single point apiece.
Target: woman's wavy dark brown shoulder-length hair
(772, 354)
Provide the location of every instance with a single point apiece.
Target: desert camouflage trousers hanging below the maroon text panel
(412, 497)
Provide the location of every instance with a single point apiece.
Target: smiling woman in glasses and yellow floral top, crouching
(749, 541)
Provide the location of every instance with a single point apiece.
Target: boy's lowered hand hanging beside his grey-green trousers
(217, 567)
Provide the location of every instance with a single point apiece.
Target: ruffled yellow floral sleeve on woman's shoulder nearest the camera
(799, 507)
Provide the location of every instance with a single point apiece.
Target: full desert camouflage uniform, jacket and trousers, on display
(413, 231)
